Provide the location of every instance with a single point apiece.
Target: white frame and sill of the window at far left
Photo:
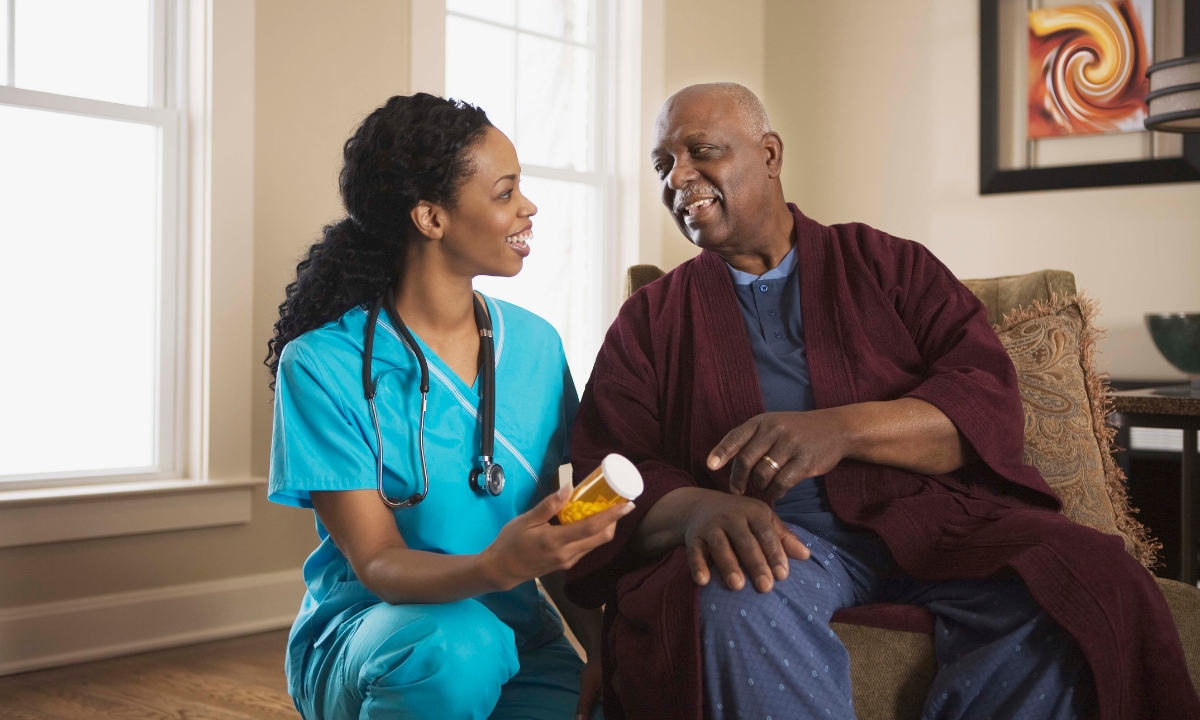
(207, 284)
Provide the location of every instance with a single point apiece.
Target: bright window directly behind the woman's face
(538, 68)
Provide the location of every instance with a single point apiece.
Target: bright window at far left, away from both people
(89, 225)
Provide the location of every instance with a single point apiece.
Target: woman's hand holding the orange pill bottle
(529, 547)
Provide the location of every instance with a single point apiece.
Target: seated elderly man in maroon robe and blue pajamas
(824, 413)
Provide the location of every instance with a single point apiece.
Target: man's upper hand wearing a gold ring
(800, 445)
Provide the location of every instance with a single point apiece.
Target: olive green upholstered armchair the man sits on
(892, 671)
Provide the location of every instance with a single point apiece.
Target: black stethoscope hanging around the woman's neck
(489, 477)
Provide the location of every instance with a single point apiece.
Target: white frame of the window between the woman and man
(616, 117)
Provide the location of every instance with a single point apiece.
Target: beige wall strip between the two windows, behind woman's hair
(322, 69)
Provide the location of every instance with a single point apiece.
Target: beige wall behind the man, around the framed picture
(878, 105)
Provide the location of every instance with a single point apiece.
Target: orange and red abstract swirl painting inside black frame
(1088, 68)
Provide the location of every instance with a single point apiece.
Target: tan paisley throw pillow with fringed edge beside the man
(1053, 346)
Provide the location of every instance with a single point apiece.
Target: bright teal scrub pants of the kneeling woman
(452, 661)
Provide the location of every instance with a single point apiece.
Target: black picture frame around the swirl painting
(1106, 175)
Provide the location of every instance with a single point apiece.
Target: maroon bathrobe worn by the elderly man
(883, 320)
